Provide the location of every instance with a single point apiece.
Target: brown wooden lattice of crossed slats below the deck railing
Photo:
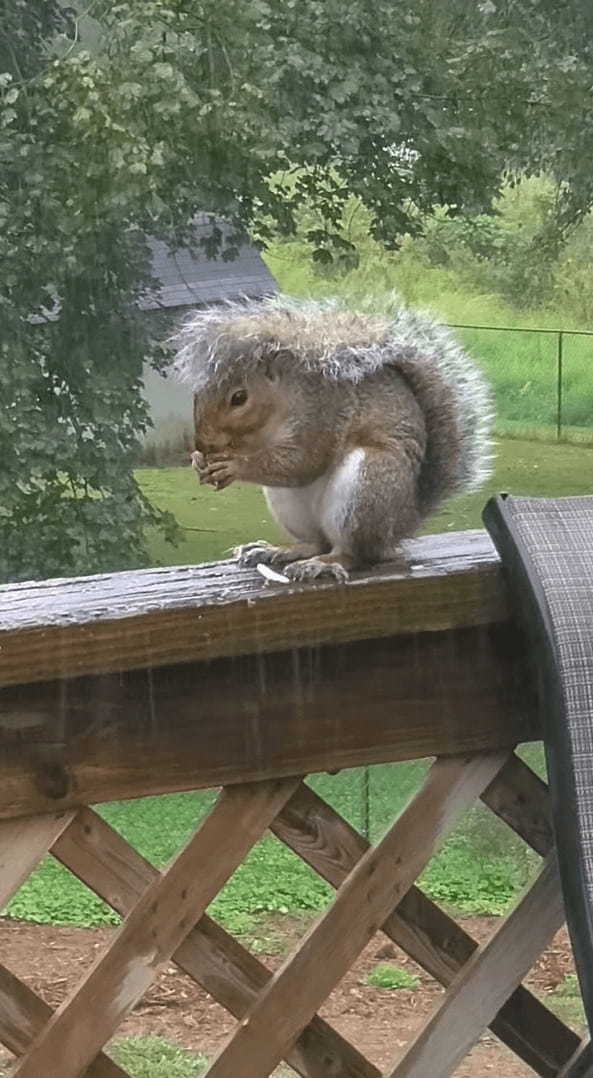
(166, 920)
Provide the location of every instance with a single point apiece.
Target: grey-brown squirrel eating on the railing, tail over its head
(357, 425)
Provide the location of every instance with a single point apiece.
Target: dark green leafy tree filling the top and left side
(250, 112)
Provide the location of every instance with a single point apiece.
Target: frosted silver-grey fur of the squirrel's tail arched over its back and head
(328, 339)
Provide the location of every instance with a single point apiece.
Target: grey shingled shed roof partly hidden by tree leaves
(190, 281)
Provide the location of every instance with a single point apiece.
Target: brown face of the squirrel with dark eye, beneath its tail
(241, 412)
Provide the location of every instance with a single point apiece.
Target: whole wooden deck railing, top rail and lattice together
(147, 683)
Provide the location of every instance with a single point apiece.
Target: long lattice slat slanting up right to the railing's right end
(327, 951)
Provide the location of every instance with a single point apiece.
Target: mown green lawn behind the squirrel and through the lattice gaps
(481, 867)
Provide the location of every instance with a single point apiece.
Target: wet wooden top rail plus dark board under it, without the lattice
(220, 679)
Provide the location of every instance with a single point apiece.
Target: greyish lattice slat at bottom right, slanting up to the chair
(487, 982)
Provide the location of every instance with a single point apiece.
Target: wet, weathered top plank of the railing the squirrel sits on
(59, 629)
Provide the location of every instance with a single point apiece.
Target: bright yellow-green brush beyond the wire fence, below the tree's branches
(488, 268)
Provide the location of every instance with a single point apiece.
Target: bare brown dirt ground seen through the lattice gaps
(379, 1021)
